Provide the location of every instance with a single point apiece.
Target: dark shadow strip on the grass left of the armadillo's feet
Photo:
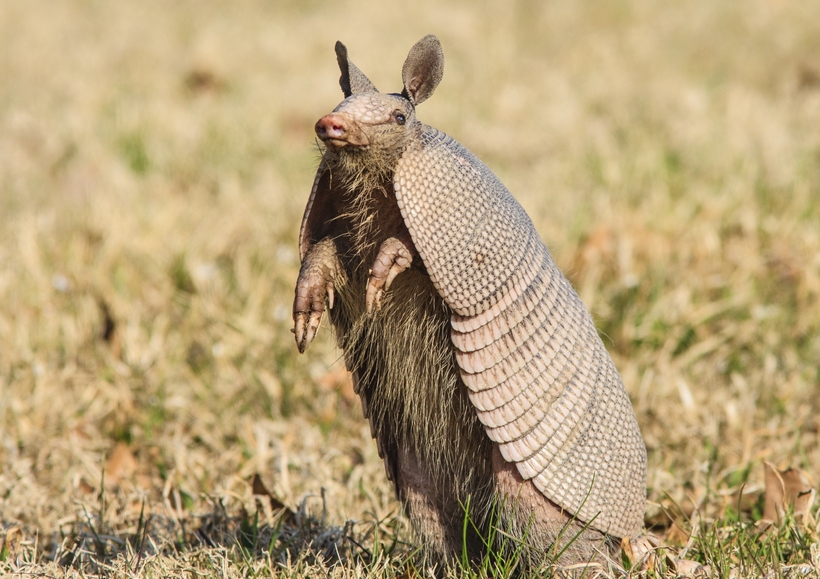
(267, 539)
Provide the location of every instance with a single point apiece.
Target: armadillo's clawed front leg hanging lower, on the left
(315, 284)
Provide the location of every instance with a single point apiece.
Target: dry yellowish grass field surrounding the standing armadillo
(155, 159)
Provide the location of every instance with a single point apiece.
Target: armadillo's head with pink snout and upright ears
(373, 127)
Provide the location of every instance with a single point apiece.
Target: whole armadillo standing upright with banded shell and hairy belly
(488, 390)
